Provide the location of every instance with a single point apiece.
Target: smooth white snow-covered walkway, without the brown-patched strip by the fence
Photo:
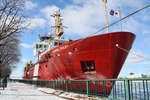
(20, 91)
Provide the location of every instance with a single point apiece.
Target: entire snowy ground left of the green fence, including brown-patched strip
(21, 91)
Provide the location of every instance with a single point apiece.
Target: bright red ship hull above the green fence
(95, 57)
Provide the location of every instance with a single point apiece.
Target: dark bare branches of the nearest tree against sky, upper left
(11, 17)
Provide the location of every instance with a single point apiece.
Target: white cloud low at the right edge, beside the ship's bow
(137, 57)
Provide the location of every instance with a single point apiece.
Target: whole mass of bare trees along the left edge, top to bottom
(11, 24)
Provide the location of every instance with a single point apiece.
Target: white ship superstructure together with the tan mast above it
(47, 43)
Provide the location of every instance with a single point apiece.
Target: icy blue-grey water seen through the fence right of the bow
(139, 90)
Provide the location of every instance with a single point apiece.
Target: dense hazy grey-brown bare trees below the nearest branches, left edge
(9, 54)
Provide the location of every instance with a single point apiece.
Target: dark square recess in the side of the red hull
(87, 66)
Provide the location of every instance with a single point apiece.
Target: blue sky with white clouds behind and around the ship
(84, 17)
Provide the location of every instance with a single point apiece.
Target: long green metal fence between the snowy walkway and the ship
(122, 89)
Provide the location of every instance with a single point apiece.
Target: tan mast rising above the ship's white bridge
(58, 25)
